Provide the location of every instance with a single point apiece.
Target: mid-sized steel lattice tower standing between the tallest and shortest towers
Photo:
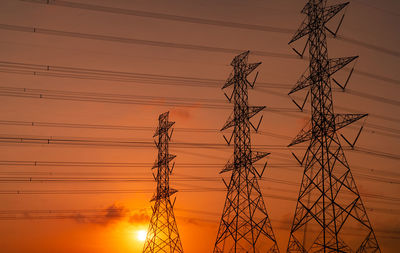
(245, 225)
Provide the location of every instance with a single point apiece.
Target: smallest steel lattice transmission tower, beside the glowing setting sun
(162, 235)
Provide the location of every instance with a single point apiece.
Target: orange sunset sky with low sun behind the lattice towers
(82, 90)
